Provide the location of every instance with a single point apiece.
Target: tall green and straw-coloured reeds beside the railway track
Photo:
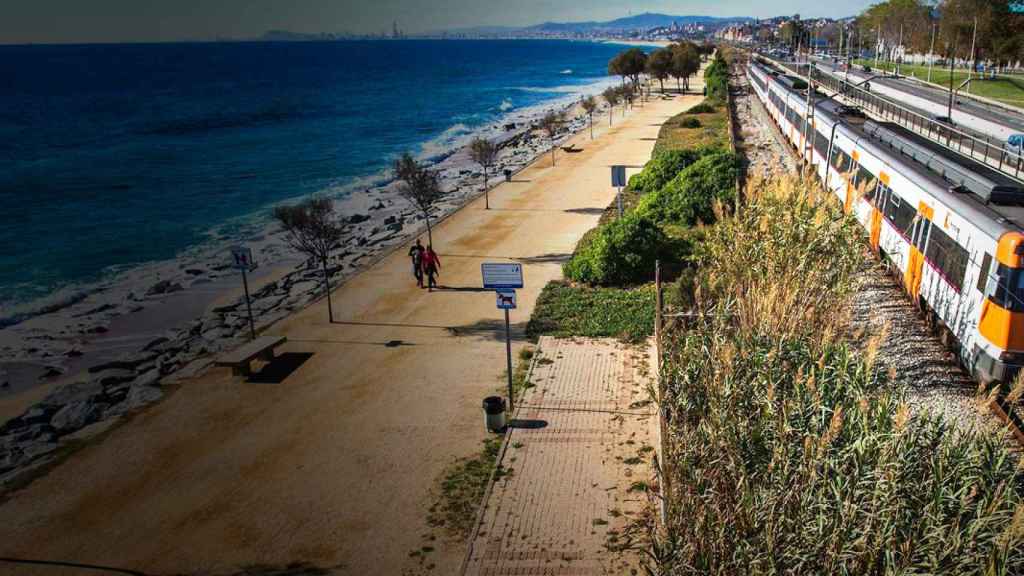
(790, 452)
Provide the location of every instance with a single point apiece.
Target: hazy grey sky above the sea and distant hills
(134, 21)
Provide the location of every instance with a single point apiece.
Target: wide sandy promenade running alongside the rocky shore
(335, 466)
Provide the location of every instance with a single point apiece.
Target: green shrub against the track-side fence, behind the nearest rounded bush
(691, 197)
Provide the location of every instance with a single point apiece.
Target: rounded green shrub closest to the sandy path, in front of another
(619, 254)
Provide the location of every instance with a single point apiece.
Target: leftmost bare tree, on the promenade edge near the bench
(312, 228)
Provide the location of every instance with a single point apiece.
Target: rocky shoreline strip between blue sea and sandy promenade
(159, 324)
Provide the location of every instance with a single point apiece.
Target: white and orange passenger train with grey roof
(950, 228)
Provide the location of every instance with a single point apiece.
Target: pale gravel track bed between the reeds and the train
(881, 314)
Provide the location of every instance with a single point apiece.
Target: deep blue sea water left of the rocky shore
(112, 156)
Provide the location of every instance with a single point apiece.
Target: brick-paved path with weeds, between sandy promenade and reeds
(566, 498)
